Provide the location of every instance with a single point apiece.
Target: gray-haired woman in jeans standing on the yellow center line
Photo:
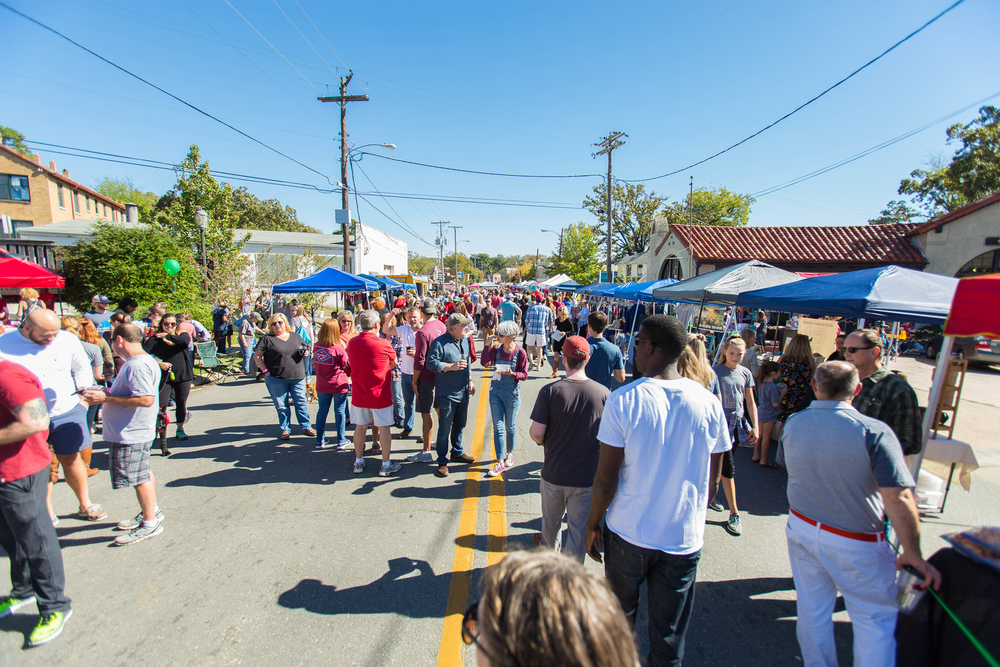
(505, 397)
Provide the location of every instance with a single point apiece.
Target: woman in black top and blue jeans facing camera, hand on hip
(279, 356)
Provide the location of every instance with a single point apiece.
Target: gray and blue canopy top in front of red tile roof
(726, 285)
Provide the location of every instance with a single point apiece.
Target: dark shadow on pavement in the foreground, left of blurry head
(395, 592)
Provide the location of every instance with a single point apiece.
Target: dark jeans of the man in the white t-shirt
(670, 588)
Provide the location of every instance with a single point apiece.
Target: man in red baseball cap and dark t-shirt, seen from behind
(564, 421)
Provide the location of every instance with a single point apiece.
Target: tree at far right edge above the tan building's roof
(973, 173)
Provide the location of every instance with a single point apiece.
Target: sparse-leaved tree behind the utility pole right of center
(632, 214)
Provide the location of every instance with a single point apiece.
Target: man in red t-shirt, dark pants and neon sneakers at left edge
(26, 530)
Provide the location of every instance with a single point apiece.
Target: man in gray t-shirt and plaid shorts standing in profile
(130, 427)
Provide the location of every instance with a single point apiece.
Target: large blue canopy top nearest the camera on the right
(885, 293)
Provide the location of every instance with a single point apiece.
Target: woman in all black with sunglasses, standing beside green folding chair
(170, 348)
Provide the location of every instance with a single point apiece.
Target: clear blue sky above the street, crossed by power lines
(518, 87)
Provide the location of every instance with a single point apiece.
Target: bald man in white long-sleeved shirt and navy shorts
(60, 363)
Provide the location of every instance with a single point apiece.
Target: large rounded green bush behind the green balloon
(128, 261)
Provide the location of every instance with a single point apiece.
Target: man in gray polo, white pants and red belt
(844, 471)
